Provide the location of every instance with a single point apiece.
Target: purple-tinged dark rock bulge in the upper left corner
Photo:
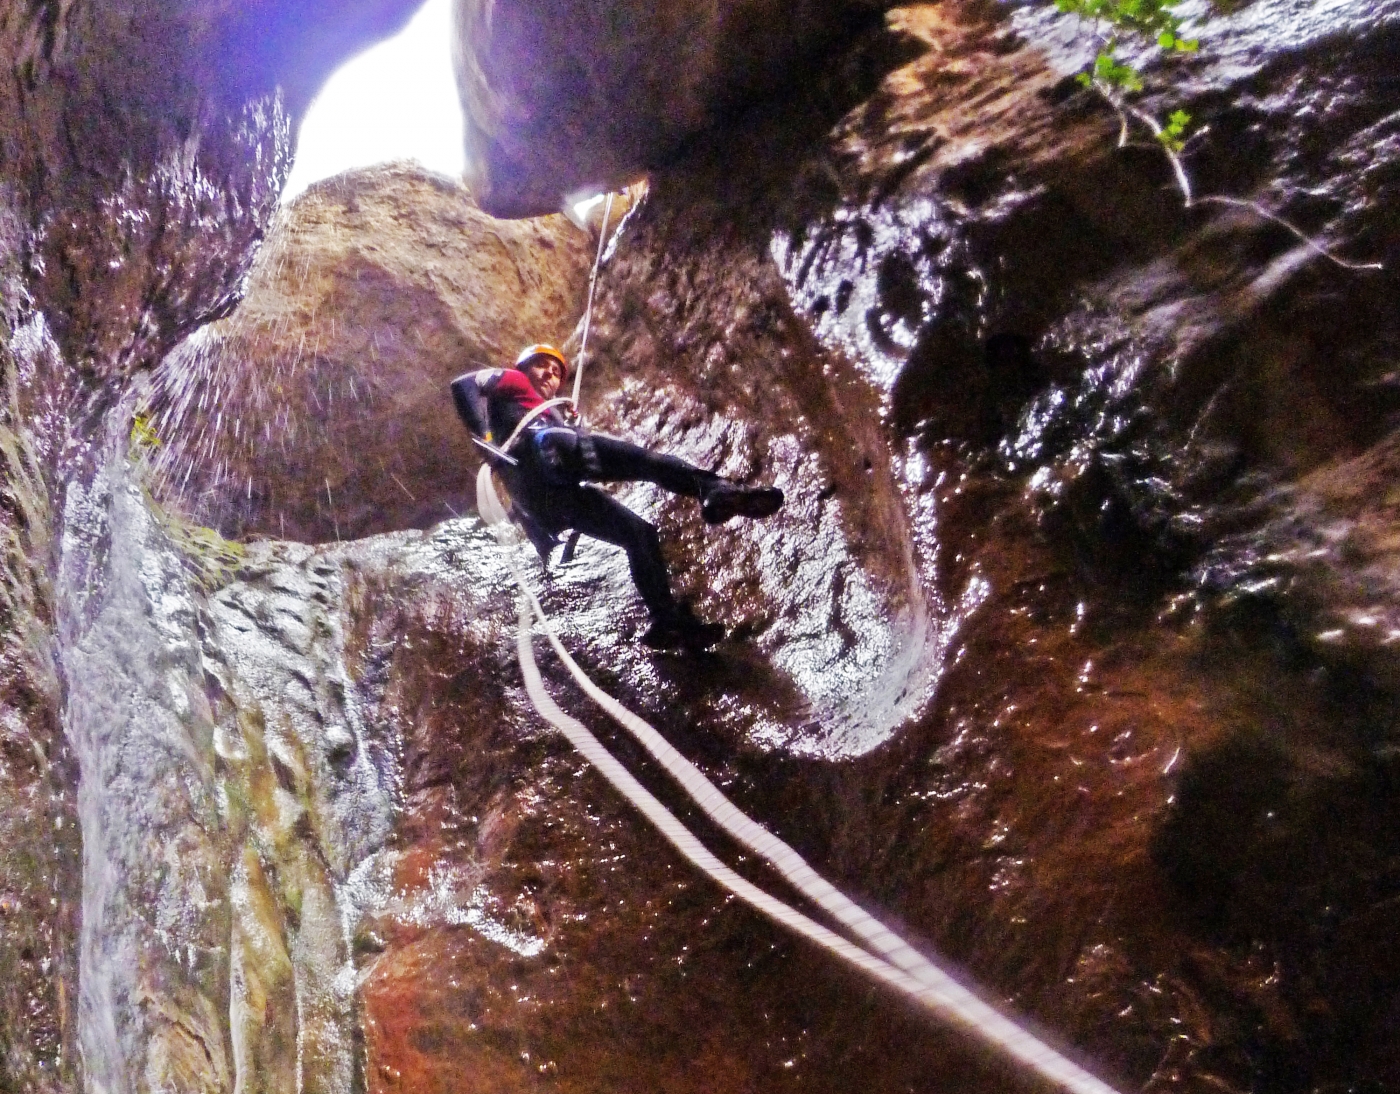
(148, 142)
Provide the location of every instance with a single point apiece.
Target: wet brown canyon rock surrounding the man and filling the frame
(1073, 649)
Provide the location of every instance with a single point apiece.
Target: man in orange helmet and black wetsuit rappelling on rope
(551, 469)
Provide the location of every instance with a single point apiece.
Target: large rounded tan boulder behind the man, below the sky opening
(320, 411)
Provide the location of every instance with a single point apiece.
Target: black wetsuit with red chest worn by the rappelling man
(555, 460)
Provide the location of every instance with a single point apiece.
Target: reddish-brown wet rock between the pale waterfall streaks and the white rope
(638, 974)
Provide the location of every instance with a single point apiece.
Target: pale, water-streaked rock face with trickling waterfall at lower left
(232, 787)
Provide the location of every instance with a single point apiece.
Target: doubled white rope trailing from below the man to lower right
(894, 962)
